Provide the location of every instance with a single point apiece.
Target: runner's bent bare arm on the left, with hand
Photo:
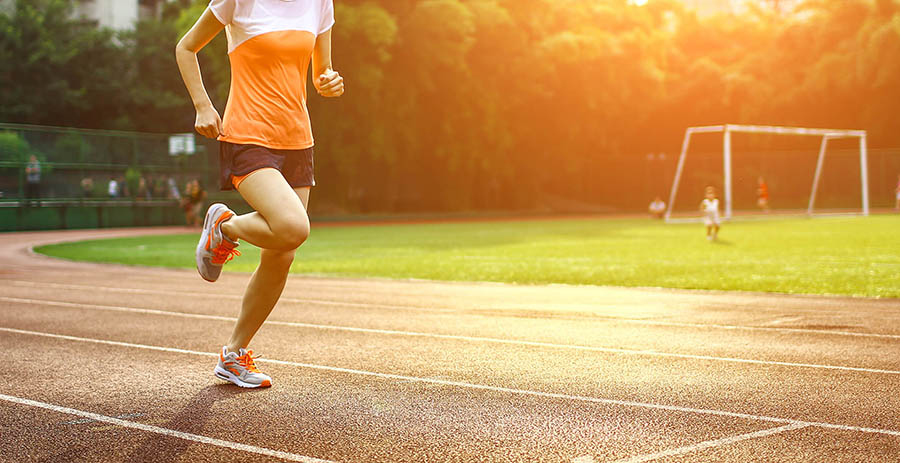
(208, 122)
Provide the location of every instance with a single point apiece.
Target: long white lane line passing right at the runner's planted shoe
(442, 382)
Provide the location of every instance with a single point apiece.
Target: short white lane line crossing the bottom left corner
(164, 431)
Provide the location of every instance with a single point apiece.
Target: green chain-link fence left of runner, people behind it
(52, 177)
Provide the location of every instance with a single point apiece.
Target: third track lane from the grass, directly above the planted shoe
(850, 398)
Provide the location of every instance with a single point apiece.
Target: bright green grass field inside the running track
(839, 256)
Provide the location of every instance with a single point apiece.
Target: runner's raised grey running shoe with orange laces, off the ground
(214, 248)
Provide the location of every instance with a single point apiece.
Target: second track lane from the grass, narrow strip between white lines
(584, 334)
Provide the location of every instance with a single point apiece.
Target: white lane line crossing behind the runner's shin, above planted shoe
(475, 339)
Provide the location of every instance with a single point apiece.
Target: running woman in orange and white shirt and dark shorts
(266, 147)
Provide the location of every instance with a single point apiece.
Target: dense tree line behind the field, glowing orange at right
(488, 104)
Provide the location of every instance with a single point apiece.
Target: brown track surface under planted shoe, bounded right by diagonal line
(349, 418)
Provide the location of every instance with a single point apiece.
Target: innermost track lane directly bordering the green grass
(794, 314)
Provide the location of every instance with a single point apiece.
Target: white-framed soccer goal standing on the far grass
(728, 129)
